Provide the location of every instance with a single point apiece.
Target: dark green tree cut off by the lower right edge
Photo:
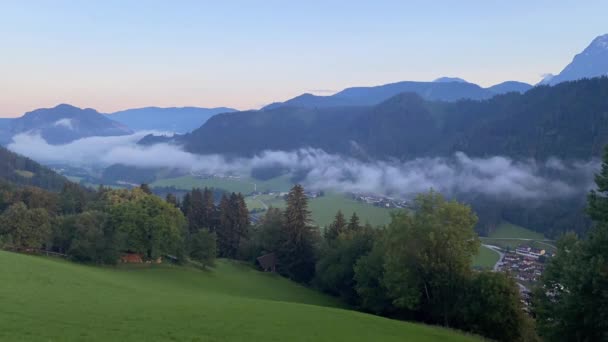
(572, 302)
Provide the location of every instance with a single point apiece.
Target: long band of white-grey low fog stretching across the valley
(496, 176)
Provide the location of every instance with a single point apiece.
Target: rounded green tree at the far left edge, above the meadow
(25, 228)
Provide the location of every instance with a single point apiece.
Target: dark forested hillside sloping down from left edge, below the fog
(20, 170)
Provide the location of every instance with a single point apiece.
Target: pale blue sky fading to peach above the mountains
(117, 54)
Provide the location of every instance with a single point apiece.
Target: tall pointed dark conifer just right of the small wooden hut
(296, 254)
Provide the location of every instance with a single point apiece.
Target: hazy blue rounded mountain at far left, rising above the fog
(63, 124)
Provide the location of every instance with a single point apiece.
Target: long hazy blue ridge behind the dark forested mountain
(448, 89)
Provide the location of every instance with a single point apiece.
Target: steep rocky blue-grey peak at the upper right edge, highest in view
(592, 62)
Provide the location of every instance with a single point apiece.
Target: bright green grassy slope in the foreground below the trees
(52, 300)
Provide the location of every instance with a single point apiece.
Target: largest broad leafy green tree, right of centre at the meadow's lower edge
(429, 255)
